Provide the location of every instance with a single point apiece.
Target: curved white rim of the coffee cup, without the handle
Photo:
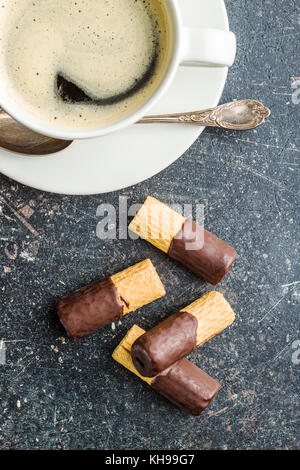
(44, 128)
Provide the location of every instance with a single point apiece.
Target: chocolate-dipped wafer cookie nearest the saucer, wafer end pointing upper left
(183, 240)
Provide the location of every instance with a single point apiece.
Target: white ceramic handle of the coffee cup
(208, 47)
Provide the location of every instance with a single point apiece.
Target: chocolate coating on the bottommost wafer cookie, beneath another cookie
(187, 386)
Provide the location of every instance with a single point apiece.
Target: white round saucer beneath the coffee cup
(120, 160)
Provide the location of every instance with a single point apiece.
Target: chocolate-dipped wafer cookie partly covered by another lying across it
(184, 384)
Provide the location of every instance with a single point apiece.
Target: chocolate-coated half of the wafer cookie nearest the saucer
(211, 262)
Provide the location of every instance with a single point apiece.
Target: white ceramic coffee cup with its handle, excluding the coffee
(190, 47)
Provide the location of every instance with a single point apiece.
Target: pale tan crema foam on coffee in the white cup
(113, 50)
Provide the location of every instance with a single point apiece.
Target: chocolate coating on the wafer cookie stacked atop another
(165, 344)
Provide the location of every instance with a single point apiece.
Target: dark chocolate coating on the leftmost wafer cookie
(90, 308)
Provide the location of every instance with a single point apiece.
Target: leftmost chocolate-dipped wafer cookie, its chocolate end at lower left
(107, 300)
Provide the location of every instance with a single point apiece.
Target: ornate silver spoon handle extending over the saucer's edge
(237, 115)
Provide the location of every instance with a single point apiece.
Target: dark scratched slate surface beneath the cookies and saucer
(57, 394)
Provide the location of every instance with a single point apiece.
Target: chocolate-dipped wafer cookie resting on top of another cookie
(180, 334)
